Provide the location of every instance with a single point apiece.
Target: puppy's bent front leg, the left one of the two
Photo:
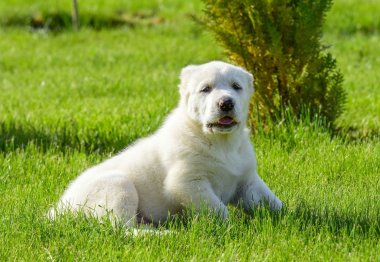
(196, 193)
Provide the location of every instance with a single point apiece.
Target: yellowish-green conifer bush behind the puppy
(279, 41)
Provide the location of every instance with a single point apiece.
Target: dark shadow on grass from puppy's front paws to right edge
(303, 217)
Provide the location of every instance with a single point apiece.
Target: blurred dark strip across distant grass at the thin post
(60, 21)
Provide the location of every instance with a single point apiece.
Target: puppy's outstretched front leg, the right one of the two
(255, 192)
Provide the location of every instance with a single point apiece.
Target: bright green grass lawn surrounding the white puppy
(69, 100)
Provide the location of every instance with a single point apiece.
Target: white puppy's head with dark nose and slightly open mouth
(216, 95)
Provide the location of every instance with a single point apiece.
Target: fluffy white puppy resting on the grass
(201, 156)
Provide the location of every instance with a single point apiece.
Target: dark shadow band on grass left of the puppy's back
(64, 138)
